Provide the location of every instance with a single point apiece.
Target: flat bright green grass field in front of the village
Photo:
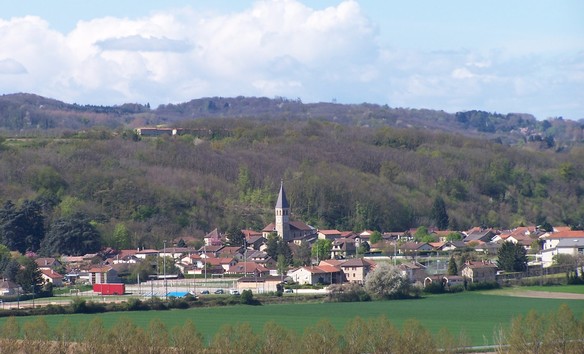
(475, 314)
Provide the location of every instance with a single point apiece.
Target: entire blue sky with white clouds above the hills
(499, 56)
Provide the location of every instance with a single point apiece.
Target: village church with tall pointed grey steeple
(289, 231)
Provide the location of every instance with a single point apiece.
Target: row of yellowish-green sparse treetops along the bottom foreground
(556, 332)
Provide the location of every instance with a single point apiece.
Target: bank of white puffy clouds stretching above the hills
(276, 48)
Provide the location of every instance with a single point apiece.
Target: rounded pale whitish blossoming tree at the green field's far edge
(387, 282)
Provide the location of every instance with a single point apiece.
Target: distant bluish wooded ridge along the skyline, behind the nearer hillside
(31, 115)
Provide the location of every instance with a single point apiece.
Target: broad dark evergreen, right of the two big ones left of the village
(73, 236)
